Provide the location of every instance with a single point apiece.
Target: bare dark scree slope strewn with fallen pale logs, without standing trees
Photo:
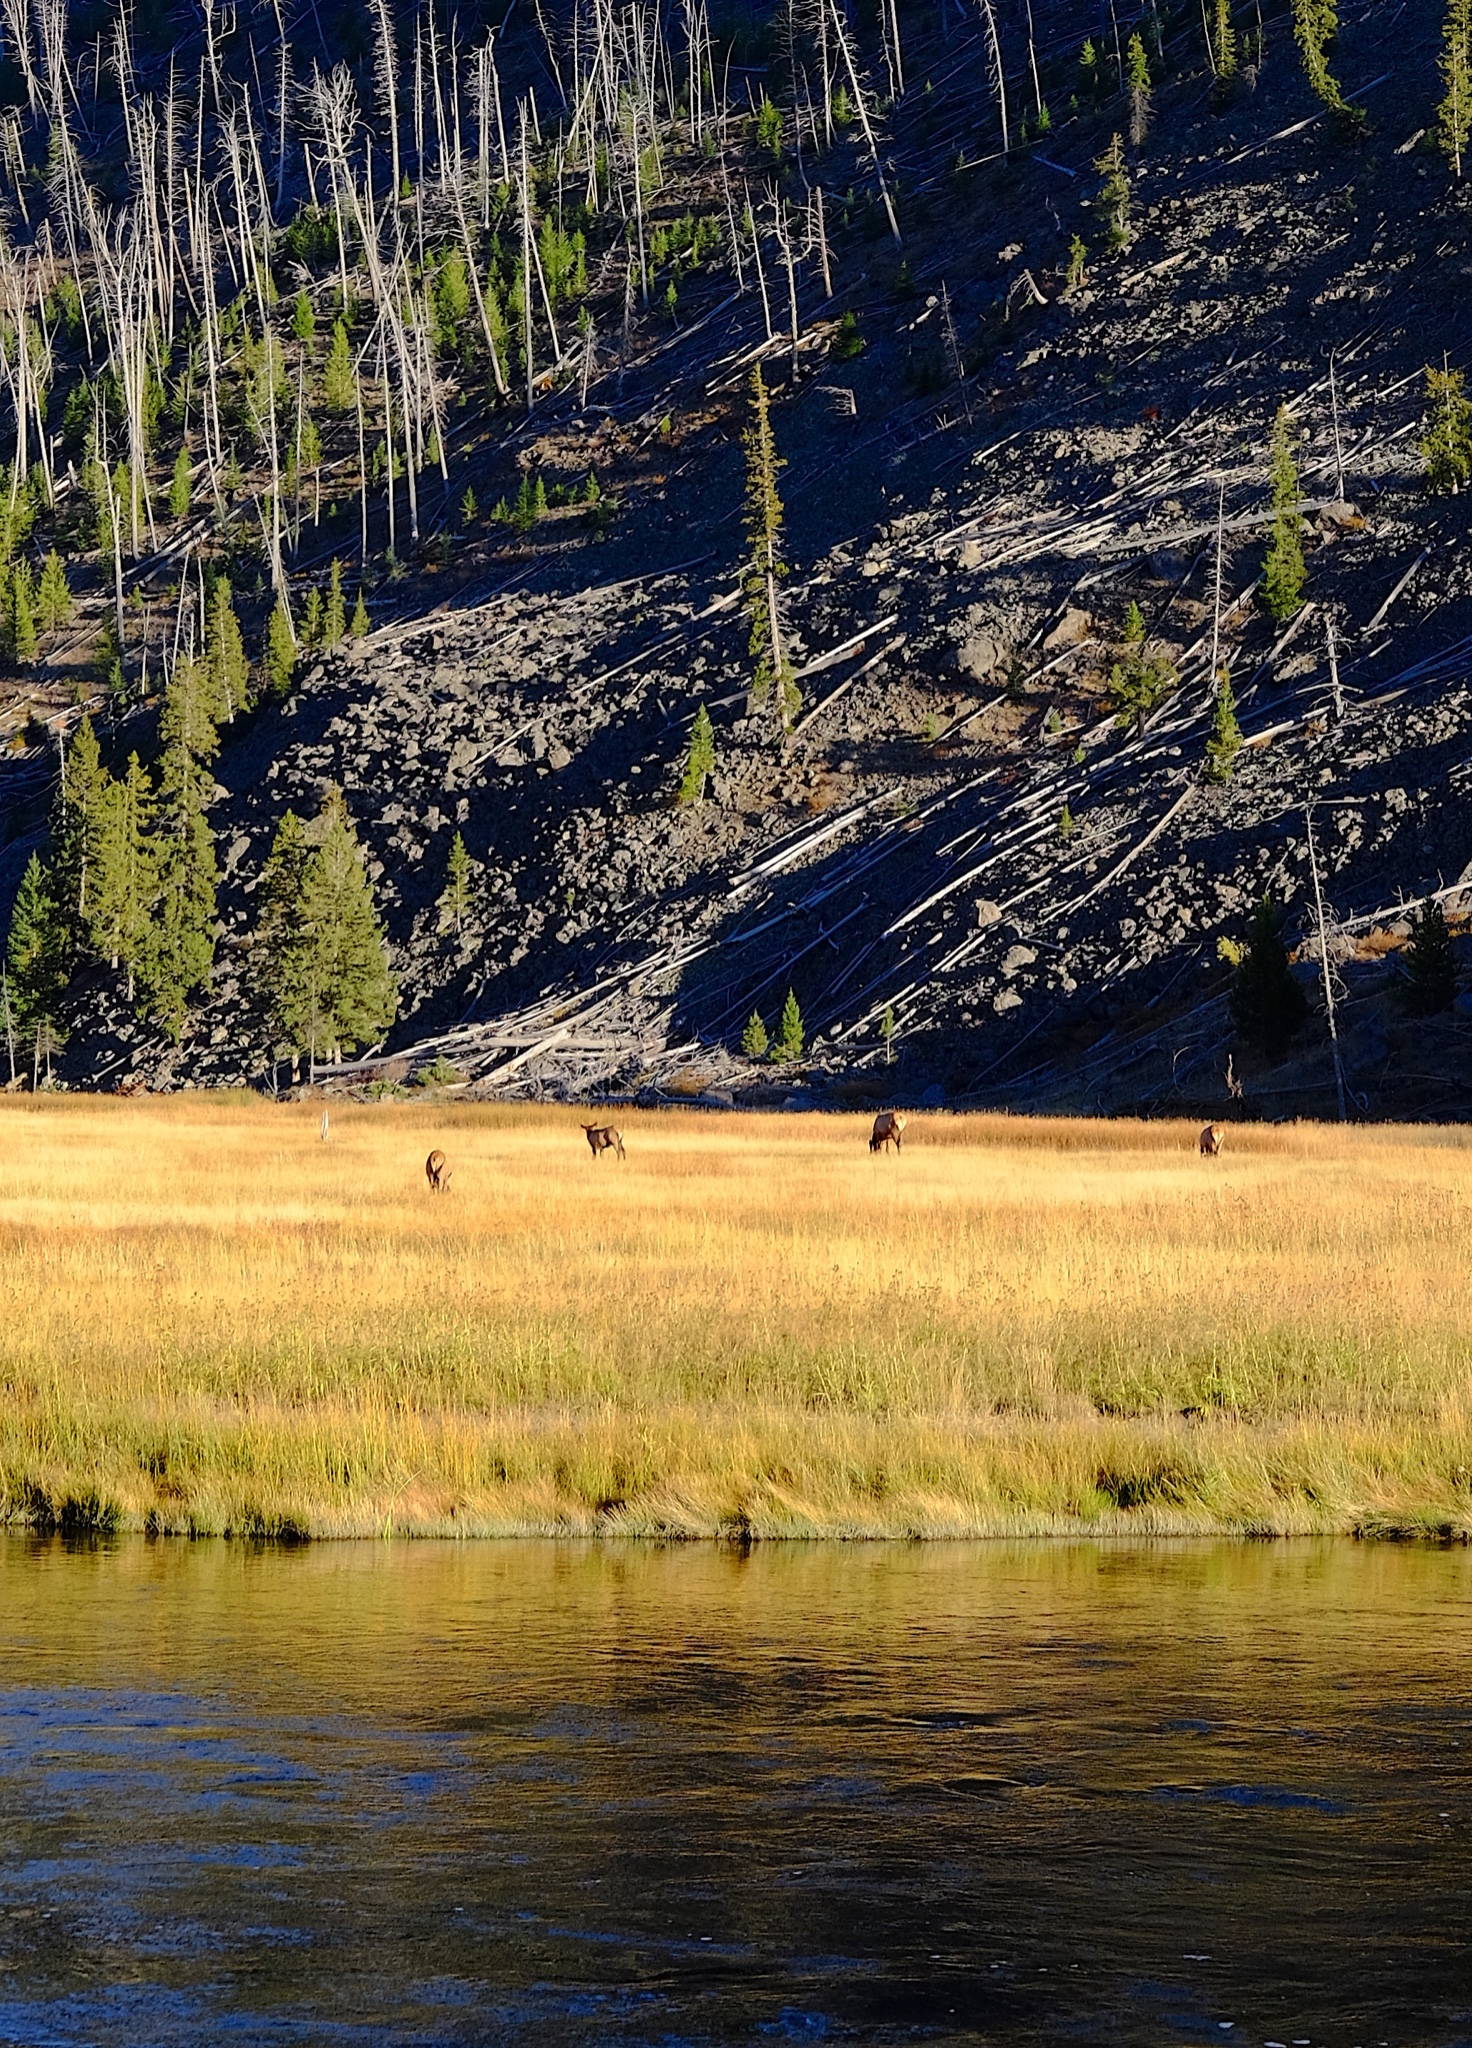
(963, 554)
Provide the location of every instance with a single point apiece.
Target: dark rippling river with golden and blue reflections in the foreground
(531, 1793)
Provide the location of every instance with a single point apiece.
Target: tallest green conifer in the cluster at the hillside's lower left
(181, 943)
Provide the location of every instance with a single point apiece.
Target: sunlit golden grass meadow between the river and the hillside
(210, 1320)
